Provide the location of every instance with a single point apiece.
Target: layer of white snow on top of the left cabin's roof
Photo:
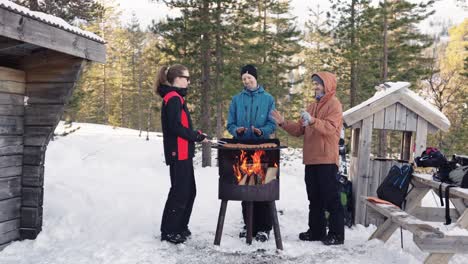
(49, 19)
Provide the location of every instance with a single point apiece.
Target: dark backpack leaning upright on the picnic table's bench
(394, 187)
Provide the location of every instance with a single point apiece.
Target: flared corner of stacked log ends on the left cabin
(50, 81)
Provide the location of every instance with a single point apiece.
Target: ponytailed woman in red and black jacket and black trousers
(179, 139)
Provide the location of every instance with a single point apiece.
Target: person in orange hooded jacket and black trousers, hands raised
(320, 124)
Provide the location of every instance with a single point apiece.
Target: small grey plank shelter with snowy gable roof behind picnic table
(396, 109)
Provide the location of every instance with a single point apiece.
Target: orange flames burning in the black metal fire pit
(244, 168)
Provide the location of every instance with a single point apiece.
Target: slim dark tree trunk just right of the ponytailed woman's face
(205, 82)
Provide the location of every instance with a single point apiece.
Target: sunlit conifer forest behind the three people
(363, 42)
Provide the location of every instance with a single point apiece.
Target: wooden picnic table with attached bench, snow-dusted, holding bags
(417, 220)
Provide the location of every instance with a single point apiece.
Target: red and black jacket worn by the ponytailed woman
(178, 133)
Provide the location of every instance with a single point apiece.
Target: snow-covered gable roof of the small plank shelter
(396, 93)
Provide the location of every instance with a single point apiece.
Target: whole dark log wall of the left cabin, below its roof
(32, 101)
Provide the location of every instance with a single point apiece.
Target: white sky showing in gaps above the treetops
(146, 10)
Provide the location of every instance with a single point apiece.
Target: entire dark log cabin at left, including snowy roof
(41, 59)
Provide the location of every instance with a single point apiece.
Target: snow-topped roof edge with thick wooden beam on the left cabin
(23, 31)
